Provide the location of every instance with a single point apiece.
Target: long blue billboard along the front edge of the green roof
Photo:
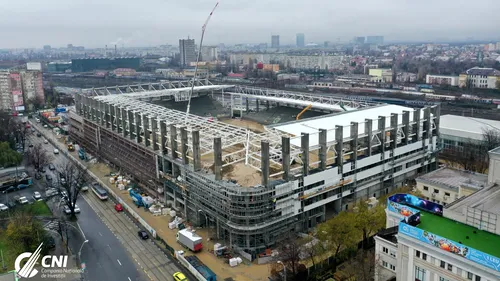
(450, 246)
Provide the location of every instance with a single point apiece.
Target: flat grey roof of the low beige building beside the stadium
(453, 178)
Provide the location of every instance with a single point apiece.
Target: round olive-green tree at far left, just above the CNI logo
(24, 231)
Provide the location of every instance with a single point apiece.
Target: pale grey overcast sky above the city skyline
(95, 23)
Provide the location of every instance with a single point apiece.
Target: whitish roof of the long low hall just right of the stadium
(466, 127)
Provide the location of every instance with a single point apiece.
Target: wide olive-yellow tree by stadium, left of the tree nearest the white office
(339, 232)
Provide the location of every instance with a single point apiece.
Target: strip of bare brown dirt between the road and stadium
(244, 272)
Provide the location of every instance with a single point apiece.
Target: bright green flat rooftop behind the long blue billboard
(483, 241)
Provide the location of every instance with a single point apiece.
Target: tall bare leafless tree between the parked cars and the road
(71, 179)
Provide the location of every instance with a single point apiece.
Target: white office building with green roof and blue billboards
(458, 242)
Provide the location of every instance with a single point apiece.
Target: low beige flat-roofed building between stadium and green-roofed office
(446, 185)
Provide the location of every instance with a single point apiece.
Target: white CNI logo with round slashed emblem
(27, 271)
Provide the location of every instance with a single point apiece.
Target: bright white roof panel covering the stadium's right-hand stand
(313, 125)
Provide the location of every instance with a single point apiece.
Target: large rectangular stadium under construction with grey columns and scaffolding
(252, 187)
